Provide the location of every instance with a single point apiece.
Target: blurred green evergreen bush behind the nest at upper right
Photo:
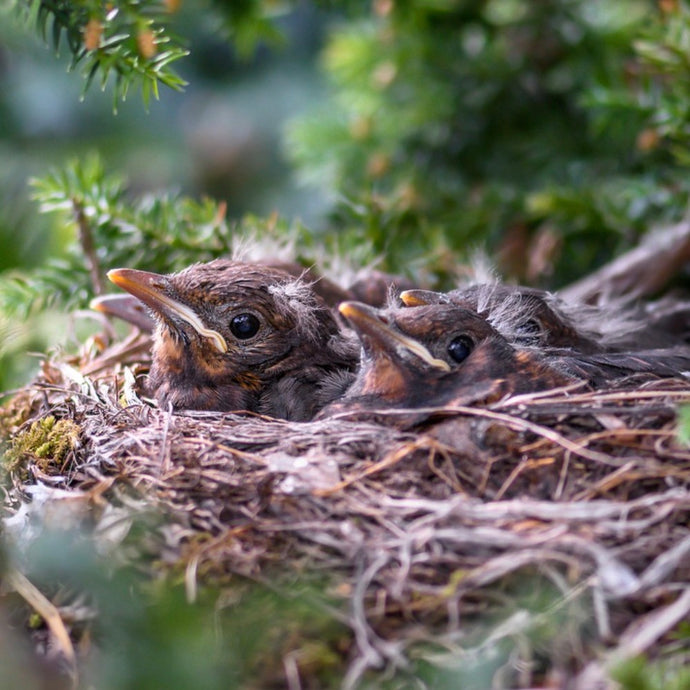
(549, 131)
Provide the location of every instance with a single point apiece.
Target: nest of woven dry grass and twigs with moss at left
(434, 530)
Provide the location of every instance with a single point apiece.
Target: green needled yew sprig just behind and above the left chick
(108, 229)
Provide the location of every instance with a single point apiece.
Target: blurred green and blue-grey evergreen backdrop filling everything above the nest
(551, 134)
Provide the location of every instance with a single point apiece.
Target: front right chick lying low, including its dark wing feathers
(443, 354)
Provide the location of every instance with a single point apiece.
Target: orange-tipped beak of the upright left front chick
(152, 289)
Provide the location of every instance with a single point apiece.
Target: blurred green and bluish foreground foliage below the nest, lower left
(138, 631)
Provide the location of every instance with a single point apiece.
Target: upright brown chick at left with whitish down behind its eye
(238, 336)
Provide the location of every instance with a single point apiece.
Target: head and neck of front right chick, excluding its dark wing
(436, 355)
